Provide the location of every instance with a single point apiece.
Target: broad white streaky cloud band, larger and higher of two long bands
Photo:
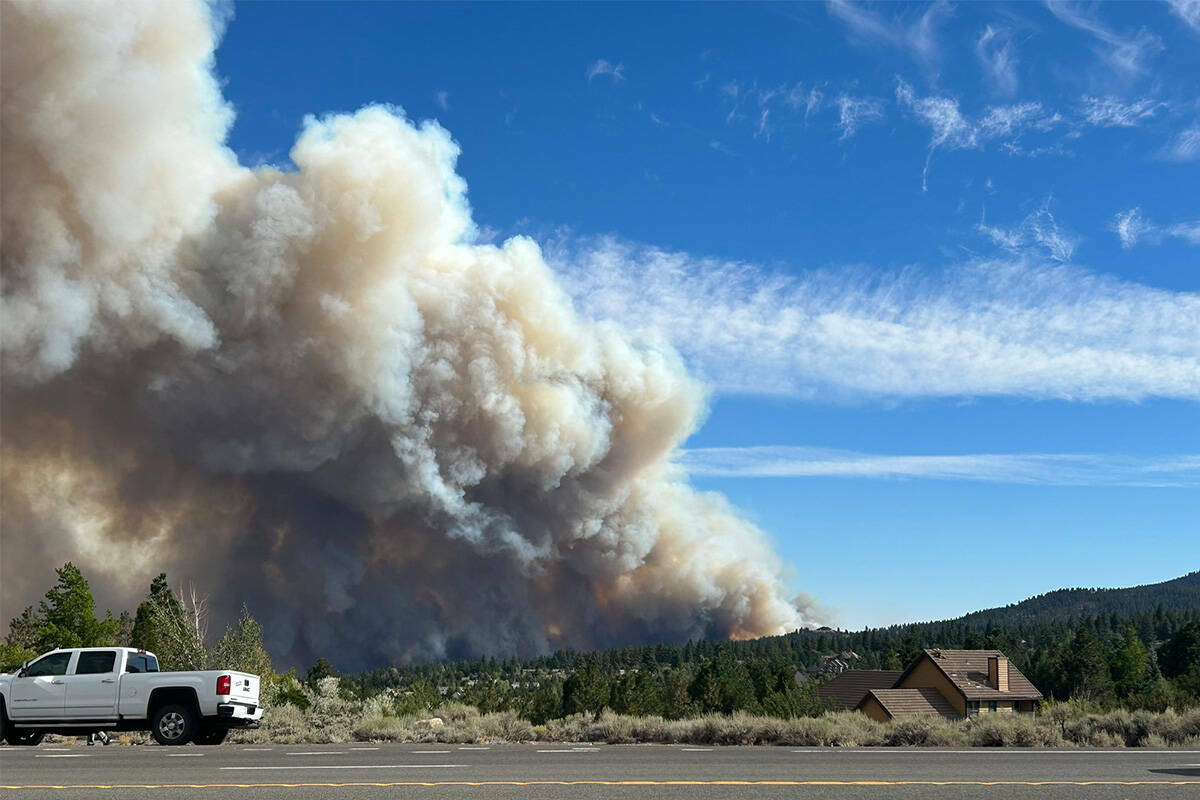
(1016, 324)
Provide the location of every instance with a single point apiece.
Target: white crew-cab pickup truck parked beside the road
(83, 690)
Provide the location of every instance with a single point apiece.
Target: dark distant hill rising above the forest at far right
(1067, 605)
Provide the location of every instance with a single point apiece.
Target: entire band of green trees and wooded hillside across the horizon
(1101, 649)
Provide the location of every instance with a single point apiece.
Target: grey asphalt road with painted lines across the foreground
(545, 772)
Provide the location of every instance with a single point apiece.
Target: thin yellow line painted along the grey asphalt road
(587, 783)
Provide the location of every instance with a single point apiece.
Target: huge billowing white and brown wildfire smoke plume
(310, 390)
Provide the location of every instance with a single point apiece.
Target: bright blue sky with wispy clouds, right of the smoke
(939, 263)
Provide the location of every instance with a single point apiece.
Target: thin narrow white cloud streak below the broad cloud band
(1047, 470)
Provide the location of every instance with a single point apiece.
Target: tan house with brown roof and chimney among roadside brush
(953, 684)
